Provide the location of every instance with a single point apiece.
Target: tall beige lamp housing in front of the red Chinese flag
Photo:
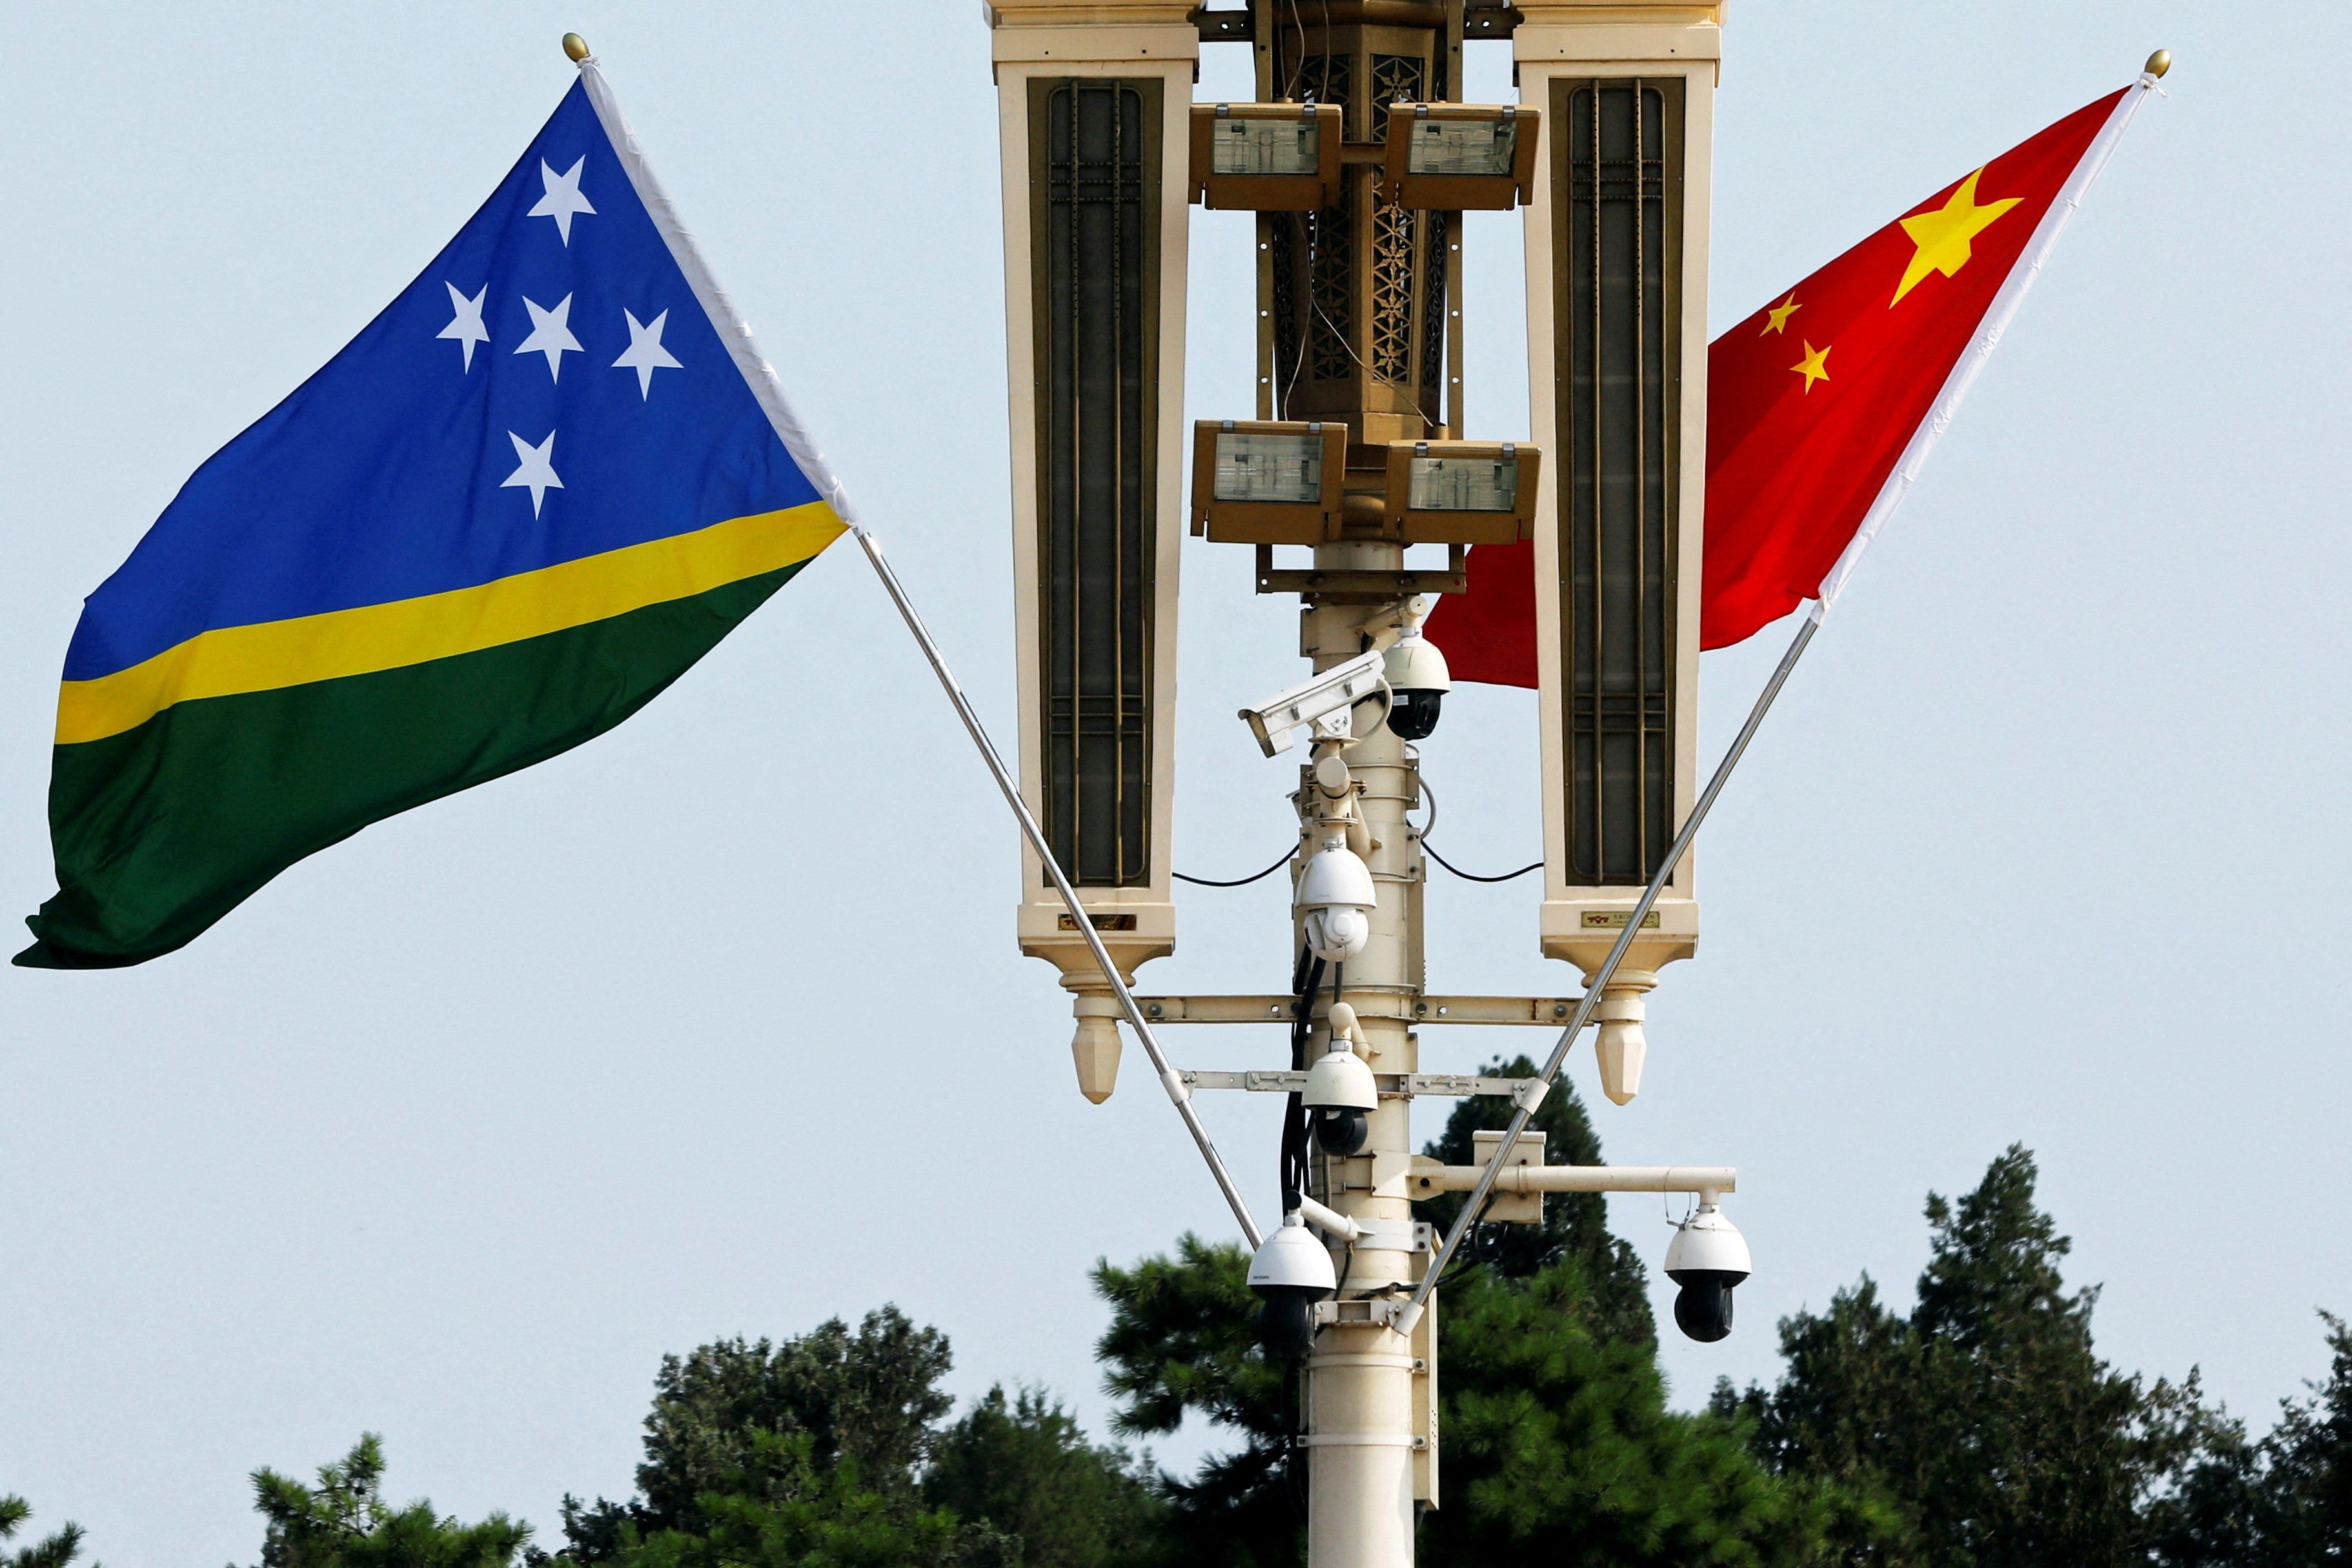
(1617, 333)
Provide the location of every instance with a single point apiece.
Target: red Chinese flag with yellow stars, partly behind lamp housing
(1815, 401)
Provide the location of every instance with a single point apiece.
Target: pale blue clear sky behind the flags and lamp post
(716, 1026)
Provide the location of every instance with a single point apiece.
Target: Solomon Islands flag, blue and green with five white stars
(544, 483)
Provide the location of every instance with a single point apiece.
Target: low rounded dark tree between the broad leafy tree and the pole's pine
(1027, 1470)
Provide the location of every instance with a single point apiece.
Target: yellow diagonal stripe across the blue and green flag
(305, 650)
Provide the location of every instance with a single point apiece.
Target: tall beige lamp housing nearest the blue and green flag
(1095, 107)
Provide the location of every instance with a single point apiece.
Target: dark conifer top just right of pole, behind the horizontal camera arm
(1575, 1224)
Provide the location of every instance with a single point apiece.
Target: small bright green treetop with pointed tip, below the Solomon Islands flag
(345, 1522)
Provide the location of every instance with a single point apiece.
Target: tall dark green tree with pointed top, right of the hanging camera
(1984, 1421)
